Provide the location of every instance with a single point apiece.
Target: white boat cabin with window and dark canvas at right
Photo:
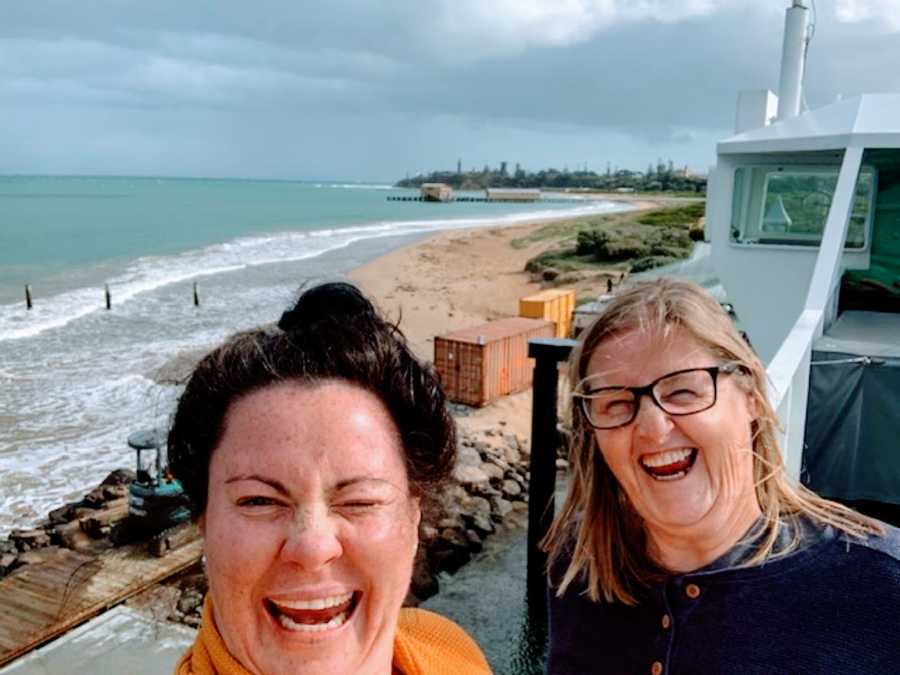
(803, 215)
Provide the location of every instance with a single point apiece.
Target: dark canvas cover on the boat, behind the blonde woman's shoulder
(852, 446)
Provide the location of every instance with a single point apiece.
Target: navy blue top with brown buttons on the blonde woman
(831, 607)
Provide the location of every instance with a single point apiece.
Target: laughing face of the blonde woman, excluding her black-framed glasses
(718, 485)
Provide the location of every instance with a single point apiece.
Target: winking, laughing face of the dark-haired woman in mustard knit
(310, 530)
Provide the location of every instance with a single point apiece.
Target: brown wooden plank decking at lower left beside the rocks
(41, 601)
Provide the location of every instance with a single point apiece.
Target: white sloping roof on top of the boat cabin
(869, 121)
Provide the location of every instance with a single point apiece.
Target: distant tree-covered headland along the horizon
(662, 179)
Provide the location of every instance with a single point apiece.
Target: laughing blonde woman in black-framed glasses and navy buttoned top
(682, 545)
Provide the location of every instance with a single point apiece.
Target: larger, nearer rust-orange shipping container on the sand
(478, 365)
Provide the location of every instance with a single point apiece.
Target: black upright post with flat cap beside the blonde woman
(547, 354)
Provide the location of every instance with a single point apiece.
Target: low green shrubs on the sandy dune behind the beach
(624, 241)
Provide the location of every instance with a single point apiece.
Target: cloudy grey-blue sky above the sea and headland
(370, 90)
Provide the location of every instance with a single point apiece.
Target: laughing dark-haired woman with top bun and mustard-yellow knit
(309, 452)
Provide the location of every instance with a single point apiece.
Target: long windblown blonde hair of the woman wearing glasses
(597, 529)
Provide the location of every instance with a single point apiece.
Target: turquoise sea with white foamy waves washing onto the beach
(76, 379)
